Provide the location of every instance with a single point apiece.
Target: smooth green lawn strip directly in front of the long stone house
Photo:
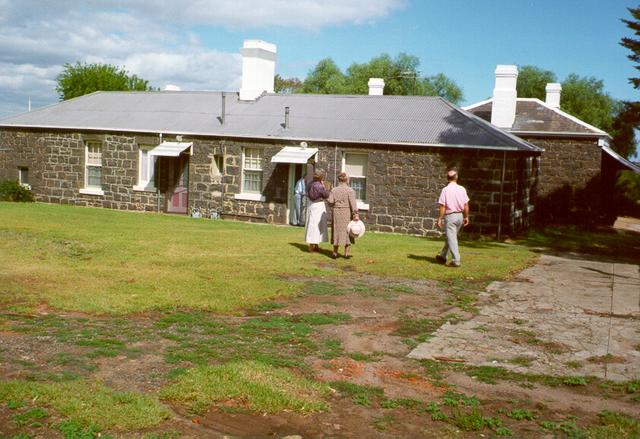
(110, 262)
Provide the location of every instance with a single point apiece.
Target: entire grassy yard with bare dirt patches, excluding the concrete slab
(191, 327)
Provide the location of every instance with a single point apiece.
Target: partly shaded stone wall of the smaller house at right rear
(569, 189)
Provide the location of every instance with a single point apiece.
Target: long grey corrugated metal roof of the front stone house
(340, 118)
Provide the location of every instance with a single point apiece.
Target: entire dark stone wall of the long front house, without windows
(403, 184)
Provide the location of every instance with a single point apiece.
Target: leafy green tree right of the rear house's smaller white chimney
(585, 98)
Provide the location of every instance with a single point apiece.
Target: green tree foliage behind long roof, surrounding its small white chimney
(400, 74)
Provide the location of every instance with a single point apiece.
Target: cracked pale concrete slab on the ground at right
(566, 315)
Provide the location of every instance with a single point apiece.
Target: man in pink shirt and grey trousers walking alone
(454, 210)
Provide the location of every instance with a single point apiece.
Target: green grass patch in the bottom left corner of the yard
(87, 404)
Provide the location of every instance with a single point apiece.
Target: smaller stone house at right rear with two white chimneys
(578, 169)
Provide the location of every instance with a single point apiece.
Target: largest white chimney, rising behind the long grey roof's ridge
(258, 68)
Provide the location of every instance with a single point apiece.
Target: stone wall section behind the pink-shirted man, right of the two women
(403, 186)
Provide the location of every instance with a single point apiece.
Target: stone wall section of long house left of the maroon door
(56, 167)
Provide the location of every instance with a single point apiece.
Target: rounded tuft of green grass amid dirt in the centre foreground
(260, 387)
